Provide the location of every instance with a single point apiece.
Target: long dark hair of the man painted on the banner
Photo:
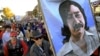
(63, 10)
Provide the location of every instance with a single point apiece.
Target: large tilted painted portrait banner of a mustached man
(71, 26)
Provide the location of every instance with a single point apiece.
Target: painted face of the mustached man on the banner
(75, 21)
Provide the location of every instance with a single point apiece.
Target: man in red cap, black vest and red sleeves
(15, 47)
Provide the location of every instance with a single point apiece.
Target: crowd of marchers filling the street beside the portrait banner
(28, 39)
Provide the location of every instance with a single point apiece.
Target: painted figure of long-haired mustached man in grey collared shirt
(80, 42)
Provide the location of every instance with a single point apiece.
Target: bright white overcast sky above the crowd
(19, 7)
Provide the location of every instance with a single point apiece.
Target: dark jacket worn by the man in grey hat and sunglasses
(36, 51)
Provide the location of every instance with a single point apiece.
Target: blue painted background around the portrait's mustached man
(54, 22)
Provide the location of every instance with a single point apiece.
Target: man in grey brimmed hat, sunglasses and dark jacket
(41, 47)
